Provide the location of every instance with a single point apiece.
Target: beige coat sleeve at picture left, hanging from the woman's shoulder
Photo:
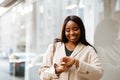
(47, 70)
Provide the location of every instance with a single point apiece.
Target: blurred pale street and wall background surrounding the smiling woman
(27, 27)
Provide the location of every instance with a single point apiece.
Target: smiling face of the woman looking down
(72, 32)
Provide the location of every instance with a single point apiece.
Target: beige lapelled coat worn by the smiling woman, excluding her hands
(89, 68)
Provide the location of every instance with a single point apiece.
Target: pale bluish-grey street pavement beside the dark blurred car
(4, 71)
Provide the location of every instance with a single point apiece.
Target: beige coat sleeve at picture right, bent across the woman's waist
(92, 70)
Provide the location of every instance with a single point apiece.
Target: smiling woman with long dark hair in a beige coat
(71, 57)
